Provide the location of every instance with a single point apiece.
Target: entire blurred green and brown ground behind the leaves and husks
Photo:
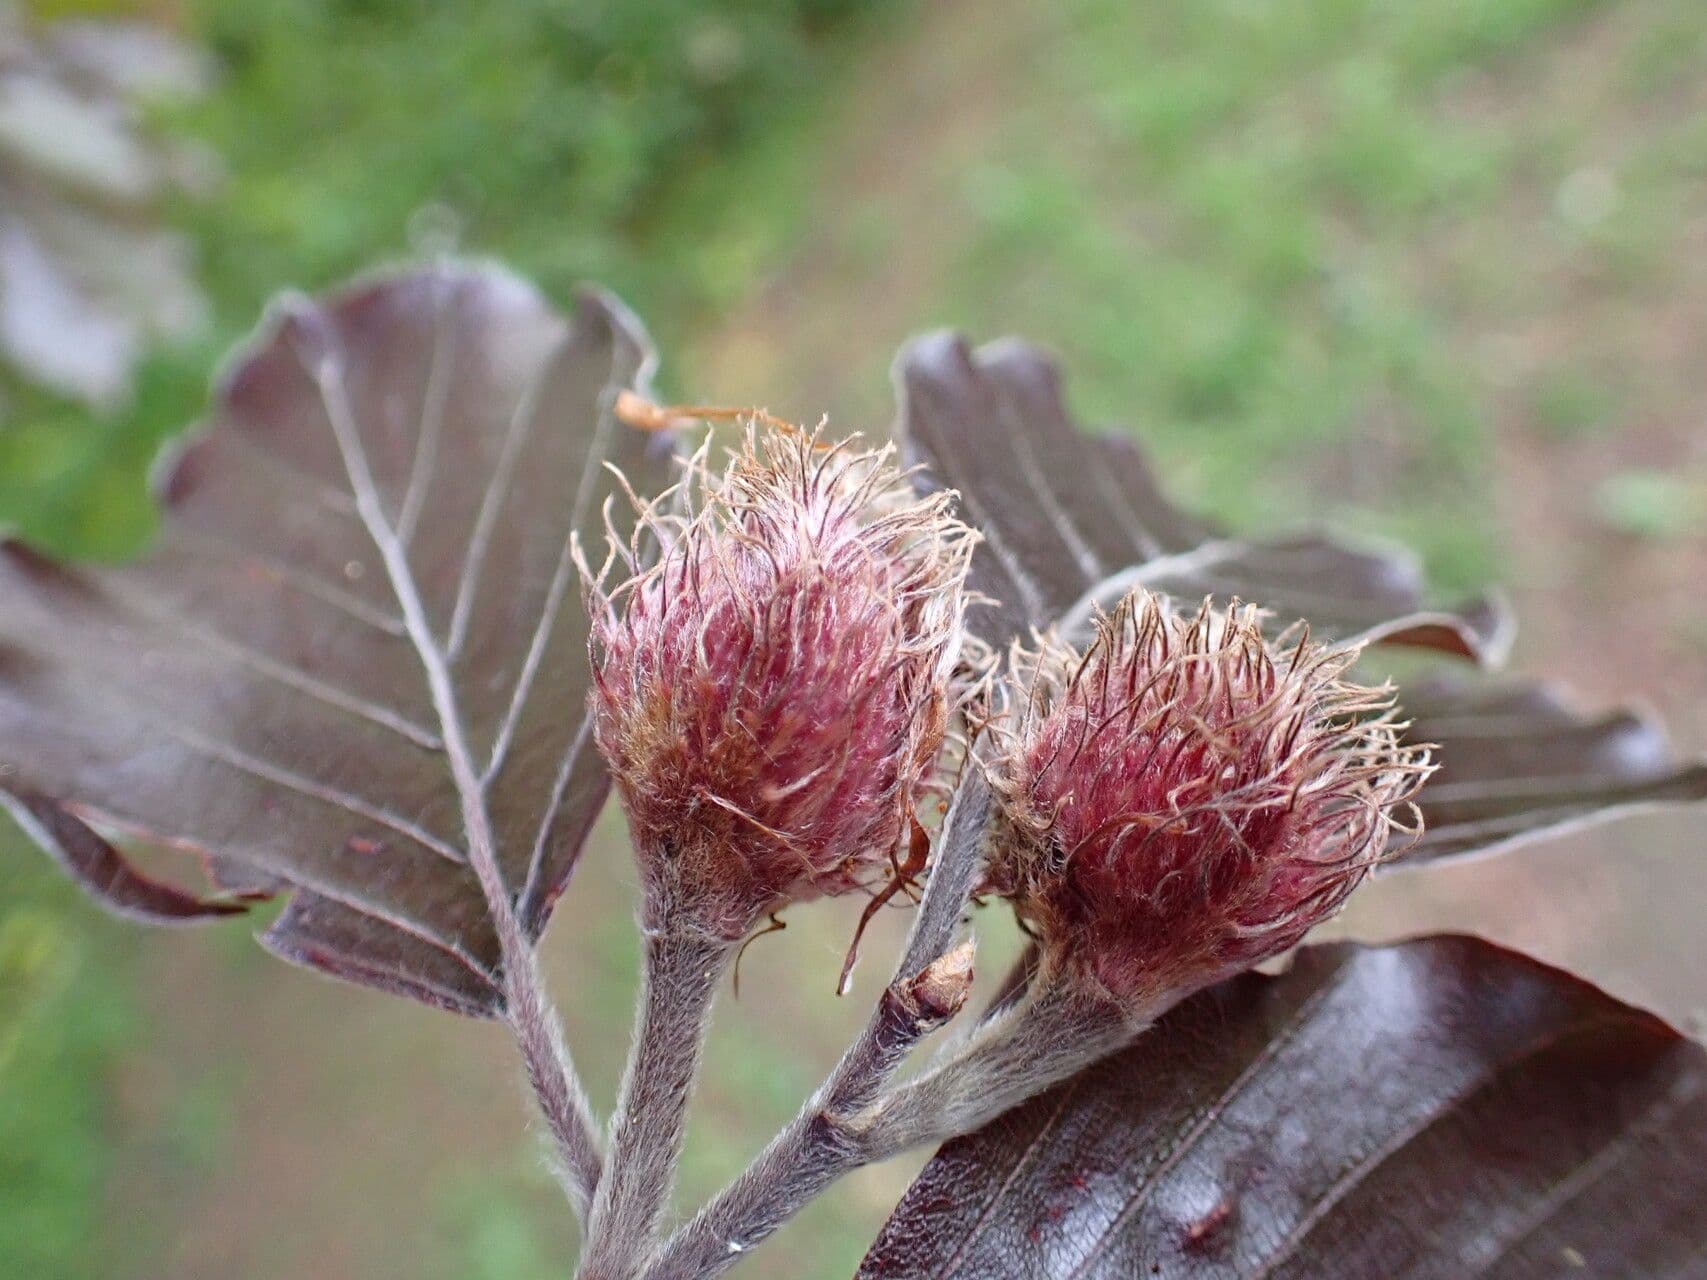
(1433, 269)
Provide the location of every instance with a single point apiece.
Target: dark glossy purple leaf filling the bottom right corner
(1440, 1108)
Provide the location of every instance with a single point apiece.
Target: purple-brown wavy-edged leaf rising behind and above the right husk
(1071, 518)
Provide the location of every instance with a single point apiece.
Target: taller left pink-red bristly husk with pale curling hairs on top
(774, 692)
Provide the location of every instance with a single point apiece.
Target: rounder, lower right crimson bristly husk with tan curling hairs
(1186, 800)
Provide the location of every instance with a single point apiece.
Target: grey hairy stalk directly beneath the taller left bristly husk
(682, 974)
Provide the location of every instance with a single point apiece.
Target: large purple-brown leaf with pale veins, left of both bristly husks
(390, 475)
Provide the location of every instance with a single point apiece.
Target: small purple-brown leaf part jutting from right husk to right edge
(1518, 762)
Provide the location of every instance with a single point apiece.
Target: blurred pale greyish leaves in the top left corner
(88, 274)
